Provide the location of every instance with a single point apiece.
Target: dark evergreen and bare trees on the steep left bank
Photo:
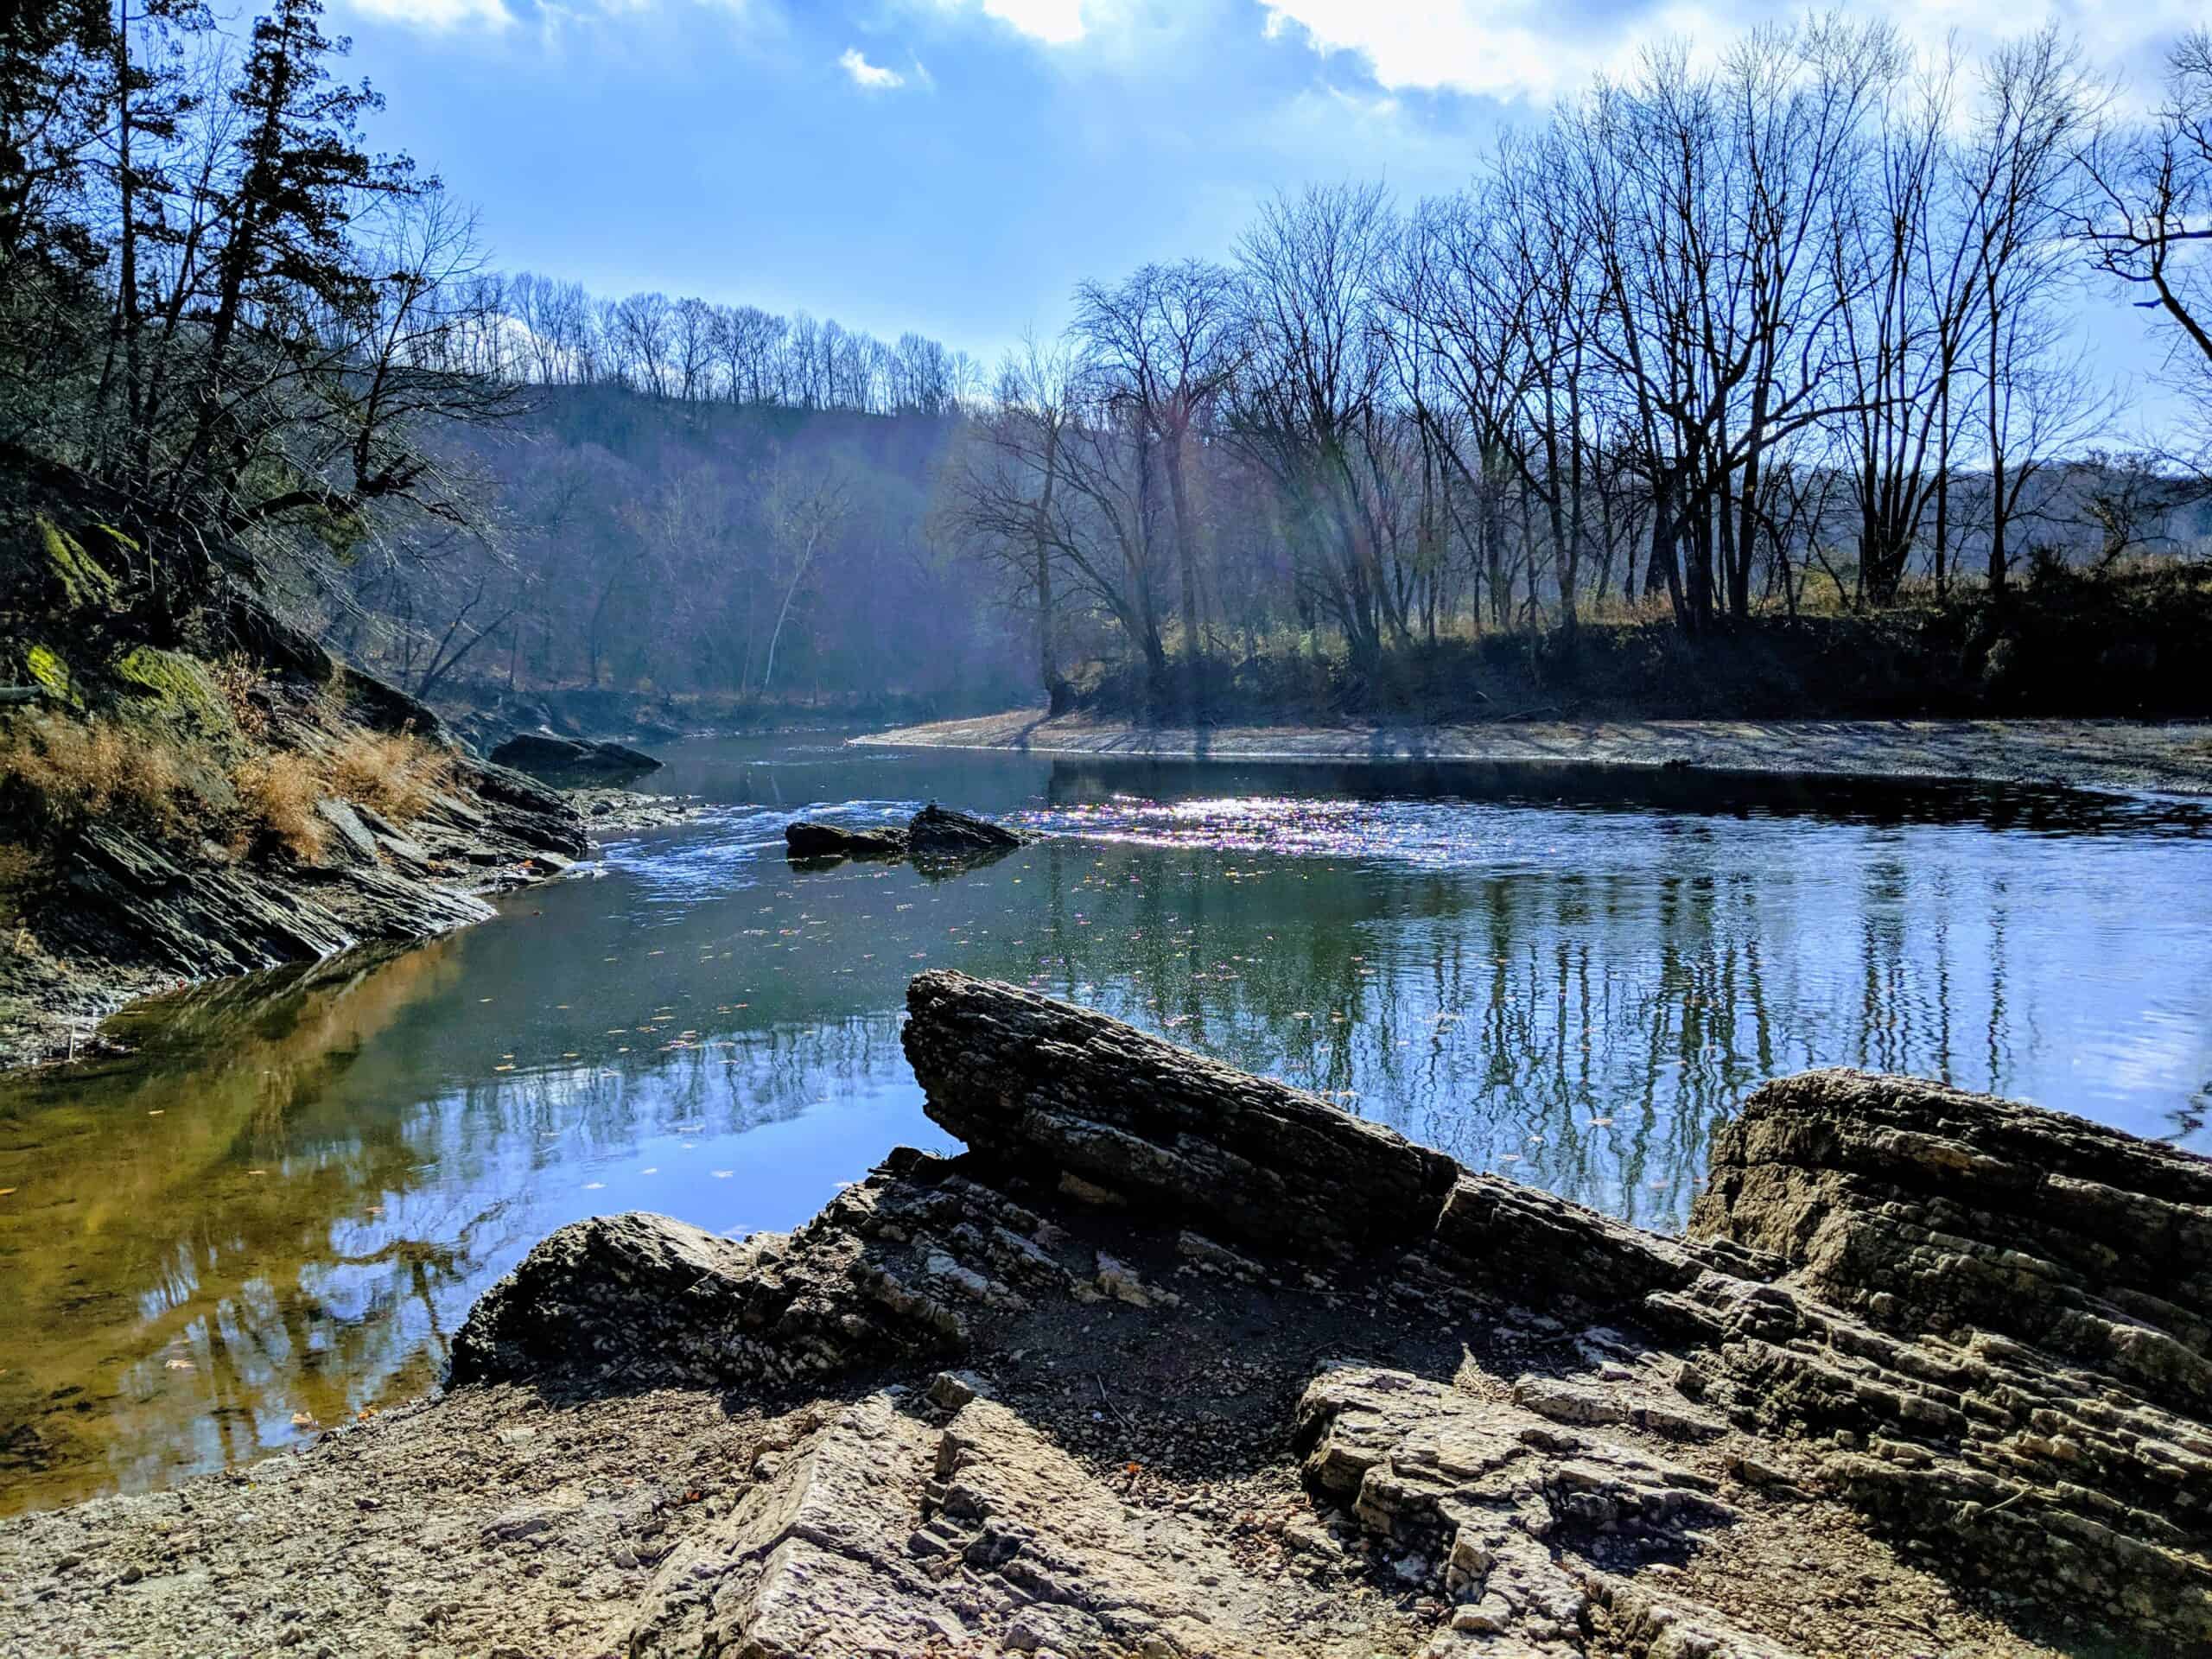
(225, 322)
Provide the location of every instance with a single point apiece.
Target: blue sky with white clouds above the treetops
(961, 165)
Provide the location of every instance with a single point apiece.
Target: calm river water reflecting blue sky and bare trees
(278, 1211)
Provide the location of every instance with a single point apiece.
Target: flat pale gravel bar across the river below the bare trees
(2080, 755)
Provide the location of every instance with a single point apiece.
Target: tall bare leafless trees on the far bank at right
(1704, 333)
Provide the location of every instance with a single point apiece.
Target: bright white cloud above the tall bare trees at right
(1538, 50)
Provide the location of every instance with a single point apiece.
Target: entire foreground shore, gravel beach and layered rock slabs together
(1178, 1361)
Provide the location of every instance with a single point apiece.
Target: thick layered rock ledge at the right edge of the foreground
(1996, 1317)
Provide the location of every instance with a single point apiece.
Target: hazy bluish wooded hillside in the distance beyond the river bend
(654, 545)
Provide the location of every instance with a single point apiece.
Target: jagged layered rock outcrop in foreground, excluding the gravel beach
(1910, 1333)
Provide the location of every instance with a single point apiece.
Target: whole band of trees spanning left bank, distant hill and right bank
(1707, 340)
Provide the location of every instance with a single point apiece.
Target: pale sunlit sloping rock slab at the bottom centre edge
(904, 1530)
